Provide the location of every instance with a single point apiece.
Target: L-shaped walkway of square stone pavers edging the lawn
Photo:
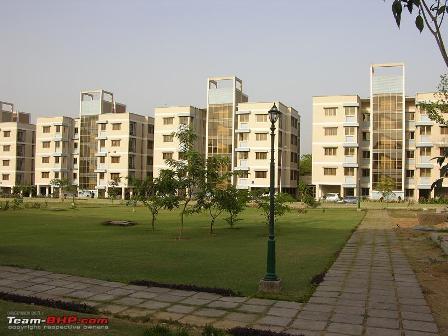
(369, 290)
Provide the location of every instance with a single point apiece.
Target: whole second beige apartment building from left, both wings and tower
(101, 149)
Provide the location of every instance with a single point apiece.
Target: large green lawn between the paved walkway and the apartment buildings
(70, 241)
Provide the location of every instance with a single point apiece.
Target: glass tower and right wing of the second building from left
(115, 145)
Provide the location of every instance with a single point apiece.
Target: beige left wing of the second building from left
(57, 142)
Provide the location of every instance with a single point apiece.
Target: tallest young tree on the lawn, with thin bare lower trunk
(189, 171)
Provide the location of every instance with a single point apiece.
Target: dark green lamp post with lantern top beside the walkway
(270, 282)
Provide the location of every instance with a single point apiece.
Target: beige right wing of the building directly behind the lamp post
(253, 143)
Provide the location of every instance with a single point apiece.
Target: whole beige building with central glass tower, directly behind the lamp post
(232, 127)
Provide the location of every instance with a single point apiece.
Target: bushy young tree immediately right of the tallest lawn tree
(212, 195)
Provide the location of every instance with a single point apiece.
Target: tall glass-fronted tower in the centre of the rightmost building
(387, 129)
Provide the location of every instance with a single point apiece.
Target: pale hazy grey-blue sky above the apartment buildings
(153, 53)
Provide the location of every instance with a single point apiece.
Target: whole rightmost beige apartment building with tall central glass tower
(359, 141)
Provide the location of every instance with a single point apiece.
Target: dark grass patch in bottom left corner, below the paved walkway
(116, 327)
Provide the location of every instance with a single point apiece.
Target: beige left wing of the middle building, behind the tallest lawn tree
(167, 121)
